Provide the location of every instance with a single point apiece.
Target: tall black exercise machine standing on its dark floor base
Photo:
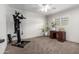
(17, 21)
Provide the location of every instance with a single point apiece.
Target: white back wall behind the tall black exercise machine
(31, 26)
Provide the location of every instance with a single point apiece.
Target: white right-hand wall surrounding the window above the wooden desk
(72, 28)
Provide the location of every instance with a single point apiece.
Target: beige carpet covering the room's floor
(44, 45)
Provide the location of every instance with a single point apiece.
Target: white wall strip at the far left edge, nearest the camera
(3, 27)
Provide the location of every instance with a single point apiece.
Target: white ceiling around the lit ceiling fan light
(36, 8)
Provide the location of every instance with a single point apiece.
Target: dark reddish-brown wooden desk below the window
(58, 35)
